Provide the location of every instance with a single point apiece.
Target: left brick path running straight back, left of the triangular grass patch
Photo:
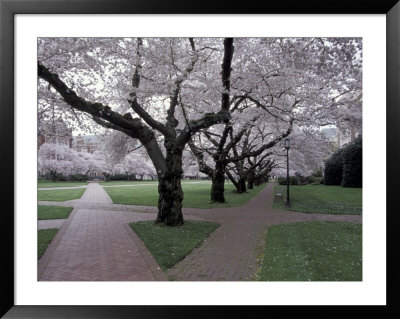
(97, 245)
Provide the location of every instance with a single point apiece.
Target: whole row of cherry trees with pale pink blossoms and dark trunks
(226, 104)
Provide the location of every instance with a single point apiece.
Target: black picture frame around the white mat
(8, 9)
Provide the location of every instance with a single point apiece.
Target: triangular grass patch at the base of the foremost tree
(169, 245)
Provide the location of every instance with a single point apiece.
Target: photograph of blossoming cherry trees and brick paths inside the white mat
(199, 159)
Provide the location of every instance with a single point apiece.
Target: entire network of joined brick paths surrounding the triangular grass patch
(96, 243)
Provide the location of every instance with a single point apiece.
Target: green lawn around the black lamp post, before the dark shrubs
(322, 199)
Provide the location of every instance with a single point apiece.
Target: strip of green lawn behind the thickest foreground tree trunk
(196, 195)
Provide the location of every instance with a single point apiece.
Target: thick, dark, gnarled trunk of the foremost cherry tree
(170, 191)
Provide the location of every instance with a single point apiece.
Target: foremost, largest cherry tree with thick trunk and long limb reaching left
(147, 79)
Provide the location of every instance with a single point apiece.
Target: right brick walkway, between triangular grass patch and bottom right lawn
(232, 252)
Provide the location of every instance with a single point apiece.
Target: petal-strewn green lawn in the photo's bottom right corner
(313, 251)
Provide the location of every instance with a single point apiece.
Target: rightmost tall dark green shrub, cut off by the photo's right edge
(352, 164)
